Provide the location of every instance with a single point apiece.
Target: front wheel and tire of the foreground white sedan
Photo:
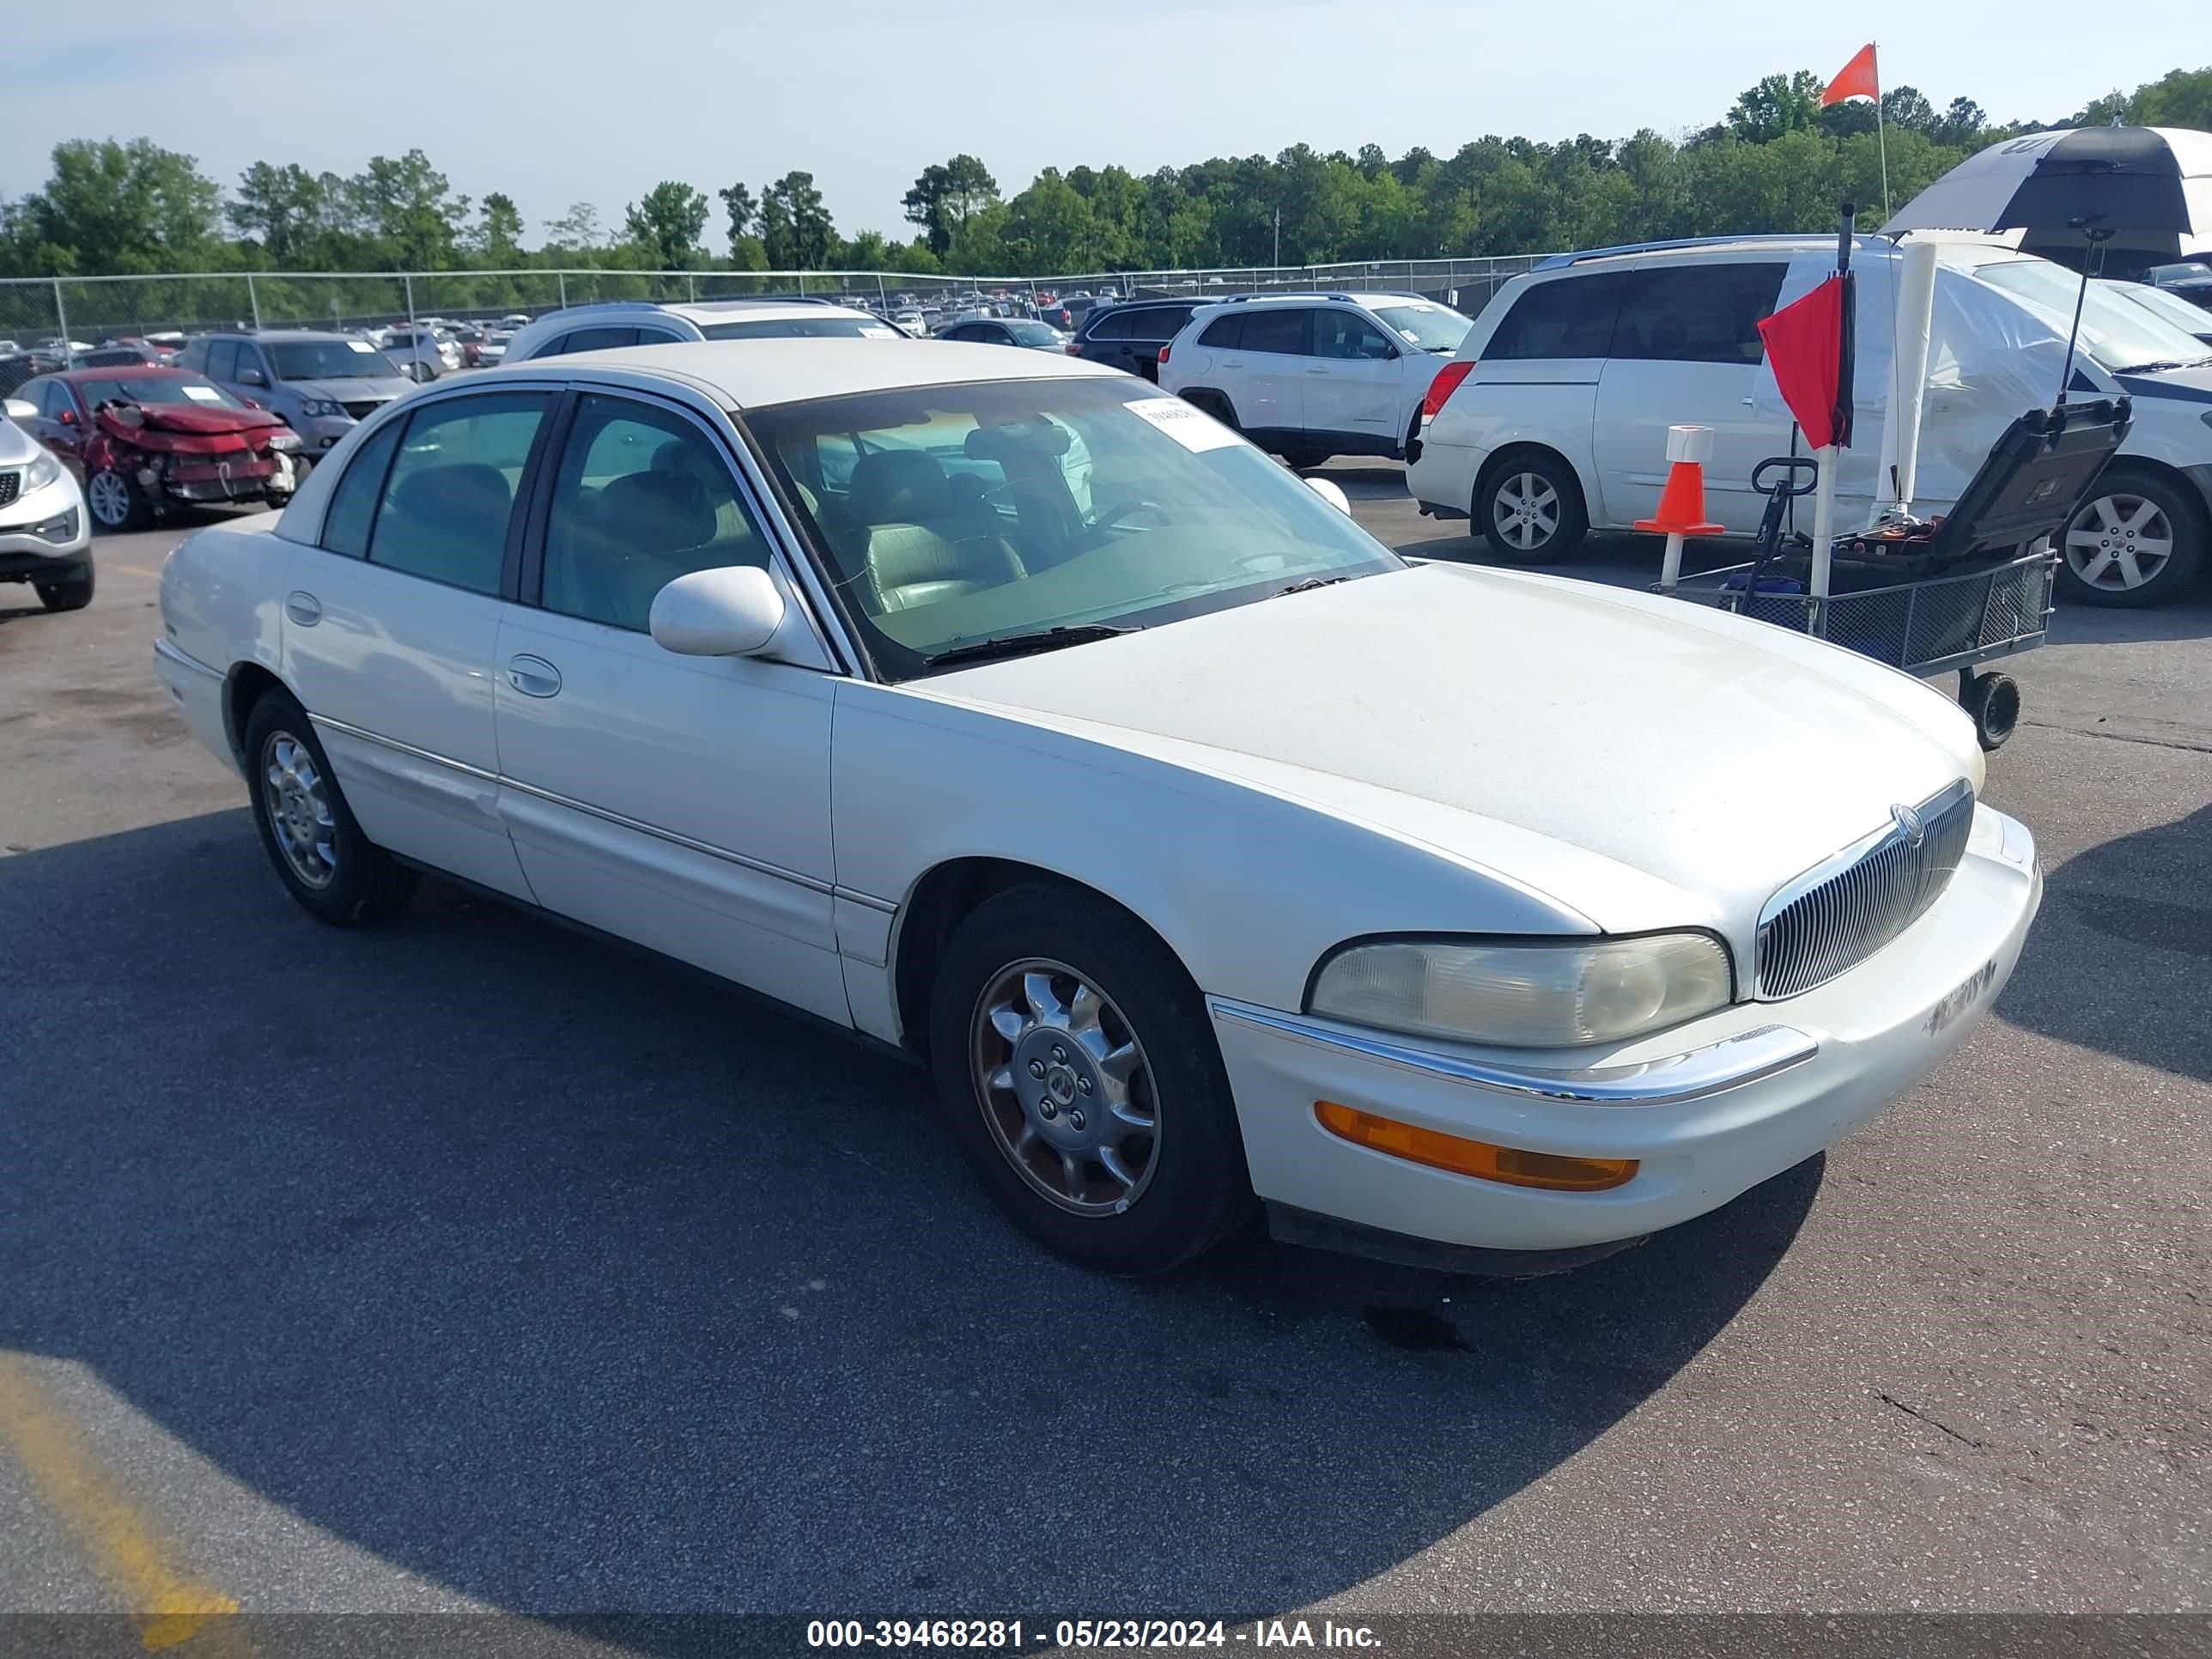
(1083, 1081)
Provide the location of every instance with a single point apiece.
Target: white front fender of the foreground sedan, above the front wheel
(1249, 870)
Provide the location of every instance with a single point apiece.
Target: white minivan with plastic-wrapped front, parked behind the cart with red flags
(1552, 421)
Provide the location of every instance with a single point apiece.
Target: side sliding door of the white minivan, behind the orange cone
(1687, 351)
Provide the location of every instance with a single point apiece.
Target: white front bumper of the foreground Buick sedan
(1709, 1109)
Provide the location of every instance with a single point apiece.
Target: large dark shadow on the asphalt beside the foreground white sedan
(572, 1282)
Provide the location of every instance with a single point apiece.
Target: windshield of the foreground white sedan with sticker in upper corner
(961, 514)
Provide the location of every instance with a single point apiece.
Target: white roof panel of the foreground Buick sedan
(755, 375)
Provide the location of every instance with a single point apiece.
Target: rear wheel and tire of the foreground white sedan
(335, 873)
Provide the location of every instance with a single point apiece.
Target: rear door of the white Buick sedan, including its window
(390, 627)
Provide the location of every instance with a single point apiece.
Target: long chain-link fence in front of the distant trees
(67, 315)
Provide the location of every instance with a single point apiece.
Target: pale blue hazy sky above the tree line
(598, 105)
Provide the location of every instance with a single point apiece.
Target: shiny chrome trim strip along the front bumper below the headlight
(1693, 1074)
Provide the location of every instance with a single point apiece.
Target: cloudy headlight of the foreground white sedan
(1525, 997)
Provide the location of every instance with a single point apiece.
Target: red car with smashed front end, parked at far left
(147, 441)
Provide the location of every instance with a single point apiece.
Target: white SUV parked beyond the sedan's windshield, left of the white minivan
(1315, 375)
